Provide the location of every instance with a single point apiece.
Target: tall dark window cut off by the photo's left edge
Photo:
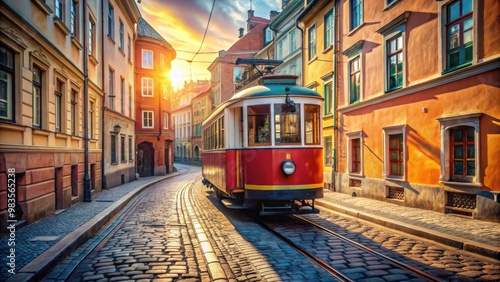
(6, 84)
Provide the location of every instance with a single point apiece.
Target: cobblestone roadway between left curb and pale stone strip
(151, 242)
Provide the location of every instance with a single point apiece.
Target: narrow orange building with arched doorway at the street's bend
(154, 132)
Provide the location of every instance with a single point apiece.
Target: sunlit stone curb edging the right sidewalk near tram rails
(445, 239)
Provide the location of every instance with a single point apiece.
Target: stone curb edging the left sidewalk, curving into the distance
(41, 266)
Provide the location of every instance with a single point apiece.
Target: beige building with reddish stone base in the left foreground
(49, 111)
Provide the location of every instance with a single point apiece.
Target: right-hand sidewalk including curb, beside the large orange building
(476, 236)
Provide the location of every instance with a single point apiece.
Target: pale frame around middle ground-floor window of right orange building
(387, 132)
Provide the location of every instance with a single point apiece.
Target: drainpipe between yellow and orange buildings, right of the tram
(335, 98)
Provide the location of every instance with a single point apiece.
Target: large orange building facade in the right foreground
(419, 104)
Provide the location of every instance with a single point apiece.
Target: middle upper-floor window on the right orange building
(395, 62)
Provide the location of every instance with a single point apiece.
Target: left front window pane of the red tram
(258, 125)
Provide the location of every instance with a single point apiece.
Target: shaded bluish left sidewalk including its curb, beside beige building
(44, 244)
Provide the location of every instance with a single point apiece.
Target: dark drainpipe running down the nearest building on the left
(87, 196)
